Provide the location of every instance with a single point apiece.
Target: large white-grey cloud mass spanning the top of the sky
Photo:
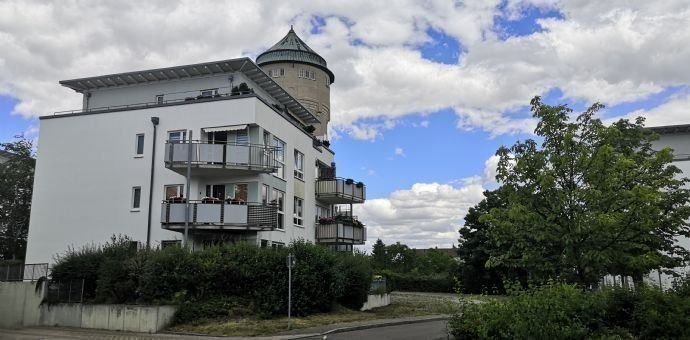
(609, 51)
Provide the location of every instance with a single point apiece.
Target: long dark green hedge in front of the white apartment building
(194, 280)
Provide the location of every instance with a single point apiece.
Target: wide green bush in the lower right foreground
(566, 312)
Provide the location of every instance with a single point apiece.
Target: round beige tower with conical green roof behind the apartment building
(304, 74)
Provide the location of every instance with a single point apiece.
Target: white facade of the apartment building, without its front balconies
(88, 164)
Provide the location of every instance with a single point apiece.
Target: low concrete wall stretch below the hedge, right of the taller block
(144, 319)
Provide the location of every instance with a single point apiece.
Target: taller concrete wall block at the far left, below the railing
(19, 304)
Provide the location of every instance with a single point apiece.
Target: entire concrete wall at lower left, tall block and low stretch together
(21, 307)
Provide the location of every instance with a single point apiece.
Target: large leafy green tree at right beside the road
(594, 199)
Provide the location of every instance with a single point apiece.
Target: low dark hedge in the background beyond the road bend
(440, 283)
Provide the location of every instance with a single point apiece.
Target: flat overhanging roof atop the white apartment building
(244, 65)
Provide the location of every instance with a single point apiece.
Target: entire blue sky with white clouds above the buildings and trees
(424, 92)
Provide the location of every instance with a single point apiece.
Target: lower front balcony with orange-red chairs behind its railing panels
(219, 215)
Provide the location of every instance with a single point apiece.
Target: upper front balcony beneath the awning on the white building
(209, 159)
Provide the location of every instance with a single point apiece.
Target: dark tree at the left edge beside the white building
(16, 187)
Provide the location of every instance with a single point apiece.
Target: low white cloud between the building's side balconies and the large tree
(425, 215)
